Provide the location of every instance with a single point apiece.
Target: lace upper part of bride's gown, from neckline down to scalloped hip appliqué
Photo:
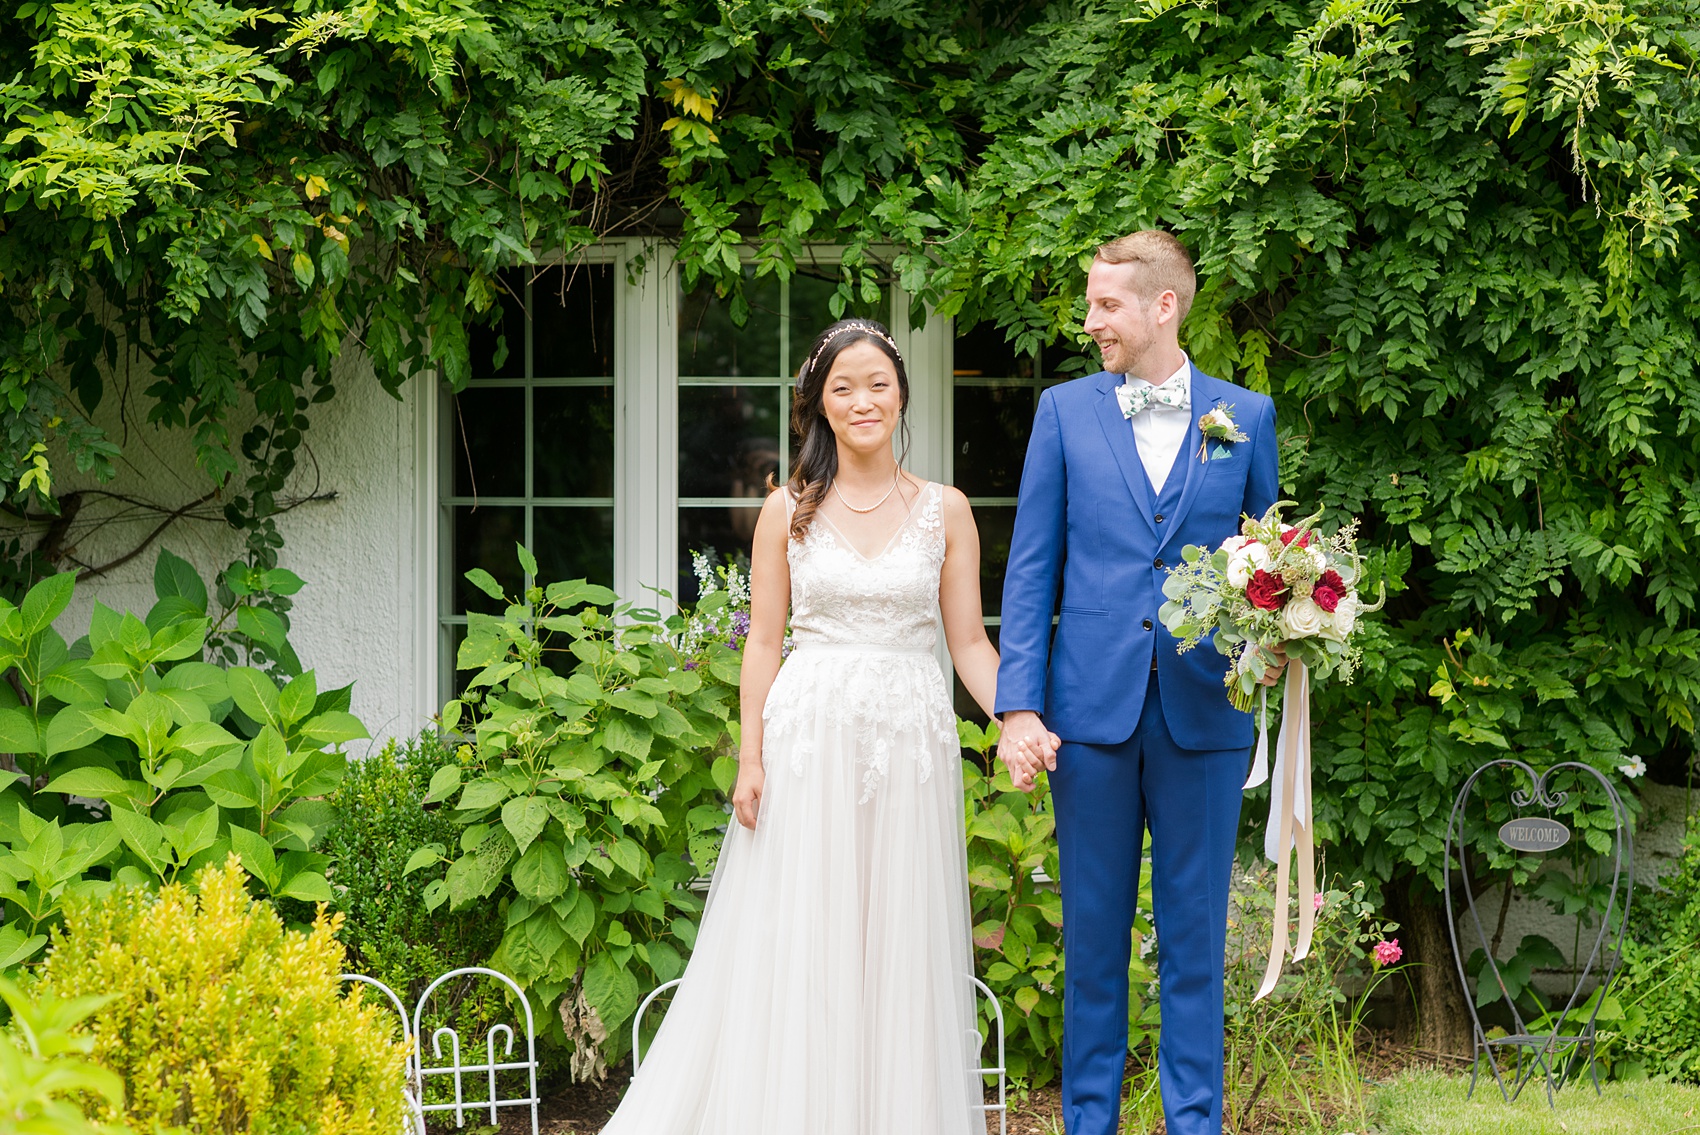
(863, 682)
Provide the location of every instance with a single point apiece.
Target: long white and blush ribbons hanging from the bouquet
(1289, 828)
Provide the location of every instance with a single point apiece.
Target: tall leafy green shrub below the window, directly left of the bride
(587, 798)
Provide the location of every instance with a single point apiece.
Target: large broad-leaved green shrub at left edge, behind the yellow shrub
(186, 760)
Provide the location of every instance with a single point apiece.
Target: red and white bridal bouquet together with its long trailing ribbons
(1293, 590)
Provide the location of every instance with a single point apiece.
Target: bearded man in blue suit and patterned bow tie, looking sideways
(1118, 482)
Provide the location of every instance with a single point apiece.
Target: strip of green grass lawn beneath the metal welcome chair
(1432, 1104)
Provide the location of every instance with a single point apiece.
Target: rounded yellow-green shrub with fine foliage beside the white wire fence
(222, 1020)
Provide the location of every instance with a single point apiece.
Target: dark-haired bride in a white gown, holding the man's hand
(829, 991)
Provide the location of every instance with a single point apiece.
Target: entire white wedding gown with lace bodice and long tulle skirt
(829, 991)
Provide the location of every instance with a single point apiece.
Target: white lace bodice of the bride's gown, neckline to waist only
(841, 596)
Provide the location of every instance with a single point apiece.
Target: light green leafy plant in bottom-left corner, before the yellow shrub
(43, 1075)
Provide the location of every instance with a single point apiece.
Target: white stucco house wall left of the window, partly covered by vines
(366, 613)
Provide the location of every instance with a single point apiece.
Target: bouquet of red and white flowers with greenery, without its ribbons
(1272, 585)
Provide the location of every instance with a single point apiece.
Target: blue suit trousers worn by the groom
(1106, 798)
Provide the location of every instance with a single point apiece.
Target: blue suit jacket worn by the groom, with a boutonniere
(1087, 548)
